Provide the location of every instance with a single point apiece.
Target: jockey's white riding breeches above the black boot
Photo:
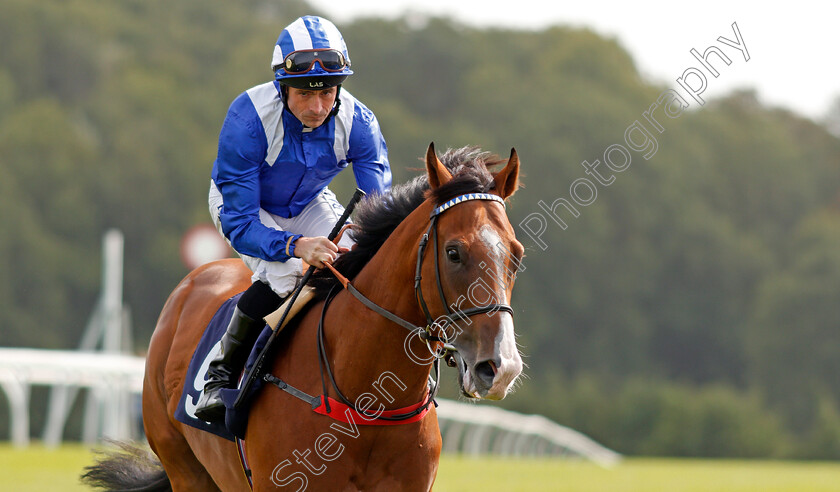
(317, 219)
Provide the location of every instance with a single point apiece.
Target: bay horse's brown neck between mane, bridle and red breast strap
(372, 347)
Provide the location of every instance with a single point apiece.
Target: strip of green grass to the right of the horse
(635, 475)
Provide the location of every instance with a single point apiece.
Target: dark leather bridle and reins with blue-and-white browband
(424, 333)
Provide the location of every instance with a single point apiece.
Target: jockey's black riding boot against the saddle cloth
(225, 367)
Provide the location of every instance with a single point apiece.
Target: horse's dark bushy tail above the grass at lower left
(128, 469)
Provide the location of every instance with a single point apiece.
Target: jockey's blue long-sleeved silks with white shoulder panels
(267, 159)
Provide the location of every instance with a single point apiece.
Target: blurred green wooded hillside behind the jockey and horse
(690, 309)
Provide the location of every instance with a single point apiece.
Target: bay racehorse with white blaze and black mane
(457, 290)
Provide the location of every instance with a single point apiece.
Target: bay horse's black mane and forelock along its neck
(377, 216)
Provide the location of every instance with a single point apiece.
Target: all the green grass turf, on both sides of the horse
(36, 469)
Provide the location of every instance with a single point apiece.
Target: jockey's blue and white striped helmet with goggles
(310, 54)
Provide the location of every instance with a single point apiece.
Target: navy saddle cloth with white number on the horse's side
(208, 347)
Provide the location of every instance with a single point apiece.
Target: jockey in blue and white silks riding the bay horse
(281, 144)
